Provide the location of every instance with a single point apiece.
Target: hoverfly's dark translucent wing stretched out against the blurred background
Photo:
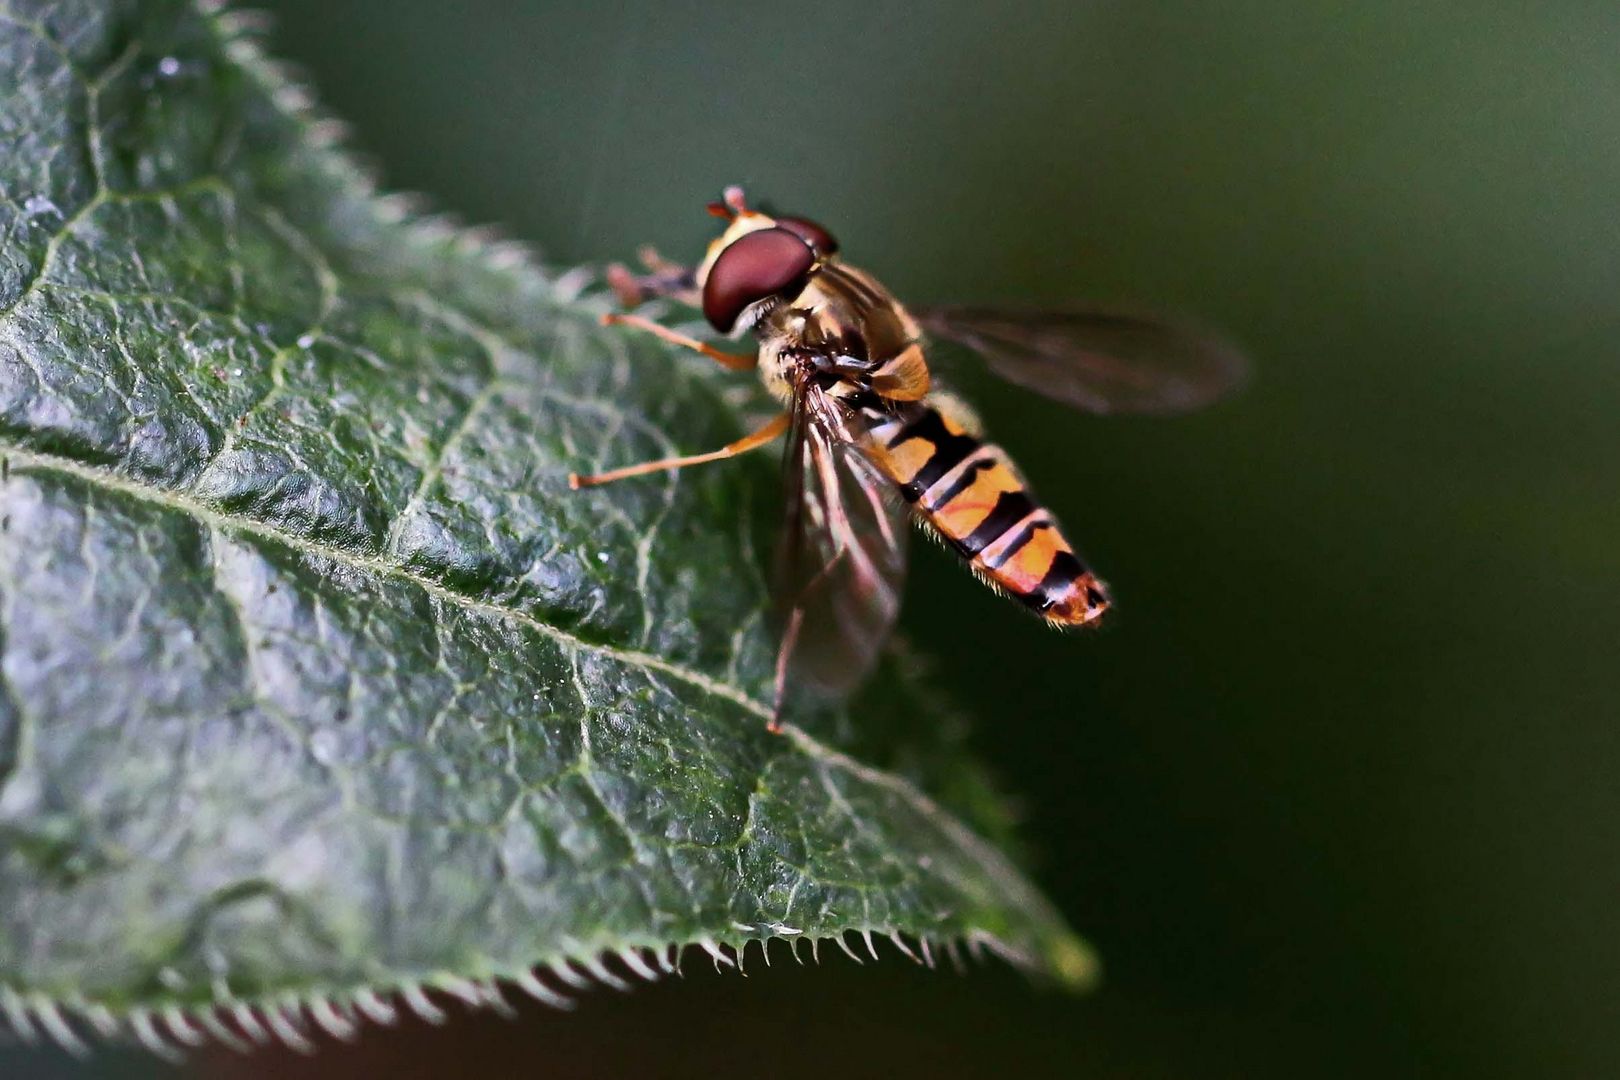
(1099, 360)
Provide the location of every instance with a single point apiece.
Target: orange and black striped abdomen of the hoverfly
(973, 496)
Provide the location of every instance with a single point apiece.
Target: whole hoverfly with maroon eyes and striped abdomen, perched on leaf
(872, 440)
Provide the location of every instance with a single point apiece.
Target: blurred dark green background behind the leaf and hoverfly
(1337, 793)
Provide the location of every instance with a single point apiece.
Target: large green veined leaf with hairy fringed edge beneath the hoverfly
(318, 682)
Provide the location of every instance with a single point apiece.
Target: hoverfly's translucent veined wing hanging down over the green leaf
(842, 553)
